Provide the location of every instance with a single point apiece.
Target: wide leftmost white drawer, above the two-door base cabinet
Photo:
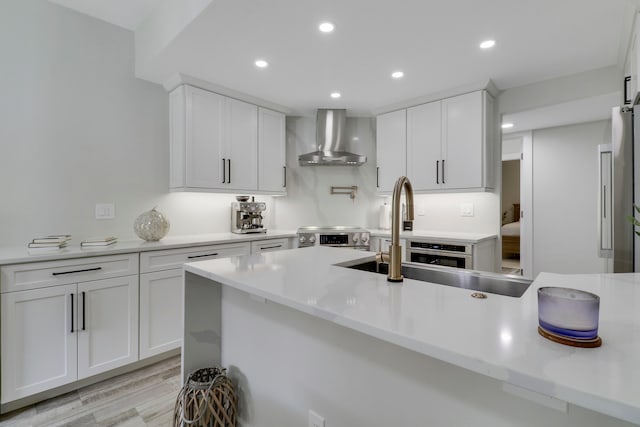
(36, 275)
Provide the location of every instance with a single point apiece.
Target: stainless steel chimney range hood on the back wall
(331, 142)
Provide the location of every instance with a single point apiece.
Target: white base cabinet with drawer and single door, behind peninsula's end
(161, 290)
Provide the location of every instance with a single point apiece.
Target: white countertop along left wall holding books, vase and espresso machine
(13, 255)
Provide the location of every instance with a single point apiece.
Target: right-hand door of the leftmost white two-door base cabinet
(107, 324)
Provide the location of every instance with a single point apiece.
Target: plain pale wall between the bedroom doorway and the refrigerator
(565, 182)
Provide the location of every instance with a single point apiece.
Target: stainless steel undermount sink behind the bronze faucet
(492, 283)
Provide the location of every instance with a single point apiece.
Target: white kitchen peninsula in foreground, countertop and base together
(299, 333)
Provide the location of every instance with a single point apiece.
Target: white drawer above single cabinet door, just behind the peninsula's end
(174, 258)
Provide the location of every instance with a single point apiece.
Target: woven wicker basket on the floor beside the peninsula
(207, 399)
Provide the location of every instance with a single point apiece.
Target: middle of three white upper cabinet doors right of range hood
(424, 136)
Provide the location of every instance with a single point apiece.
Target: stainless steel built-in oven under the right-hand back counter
(457, 255)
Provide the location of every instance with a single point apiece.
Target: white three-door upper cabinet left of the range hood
(215, 144)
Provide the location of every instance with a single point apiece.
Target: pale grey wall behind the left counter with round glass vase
(79, 129)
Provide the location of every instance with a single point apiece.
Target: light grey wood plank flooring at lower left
(145, 397)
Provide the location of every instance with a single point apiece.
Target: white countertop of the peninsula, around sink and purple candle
(496, 337)
